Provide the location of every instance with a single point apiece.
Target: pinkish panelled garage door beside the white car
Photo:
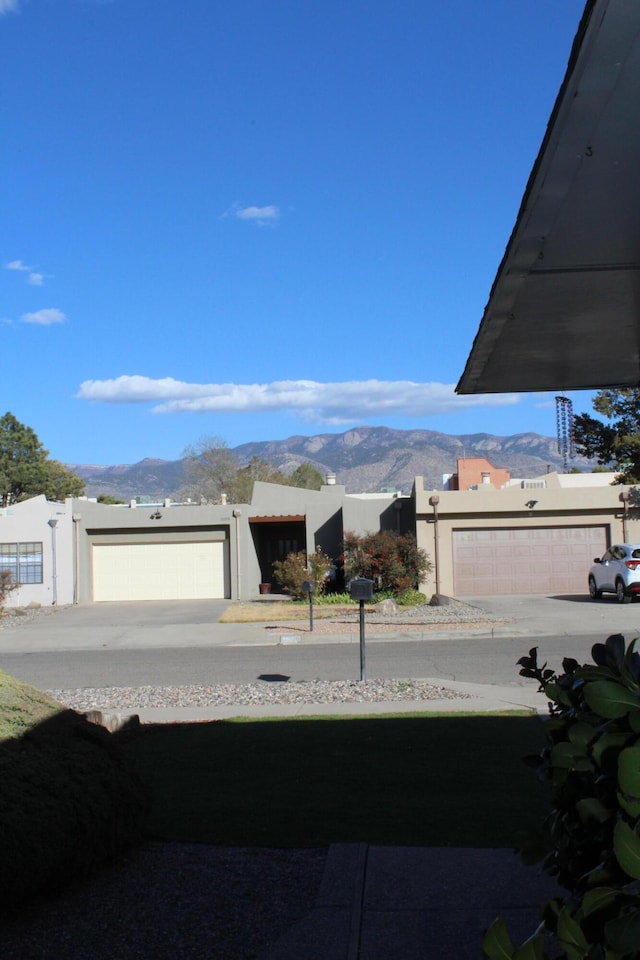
(525, 559)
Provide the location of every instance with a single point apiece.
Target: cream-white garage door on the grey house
(160, 571)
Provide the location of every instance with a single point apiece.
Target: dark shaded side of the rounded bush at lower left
(69, 802)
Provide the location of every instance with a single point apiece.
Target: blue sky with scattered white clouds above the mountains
(261, 218)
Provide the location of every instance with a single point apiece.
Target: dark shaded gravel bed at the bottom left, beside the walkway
(171, 901)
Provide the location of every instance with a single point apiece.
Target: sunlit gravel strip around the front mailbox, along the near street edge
(262, 693)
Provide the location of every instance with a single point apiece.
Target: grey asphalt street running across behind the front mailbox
(473, 660)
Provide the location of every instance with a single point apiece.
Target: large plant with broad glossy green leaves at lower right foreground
(590, 840)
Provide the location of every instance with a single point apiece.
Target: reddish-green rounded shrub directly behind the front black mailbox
(392, 560)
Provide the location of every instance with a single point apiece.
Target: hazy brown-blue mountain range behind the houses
(365, 460)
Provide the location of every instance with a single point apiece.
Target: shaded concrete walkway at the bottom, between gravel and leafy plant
(415, 903)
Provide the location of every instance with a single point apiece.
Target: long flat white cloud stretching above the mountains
(331, 403)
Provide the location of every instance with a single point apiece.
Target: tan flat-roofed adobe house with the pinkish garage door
(536, 536)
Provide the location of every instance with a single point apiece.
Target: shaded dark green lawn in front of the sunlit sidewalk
(421, 780)
